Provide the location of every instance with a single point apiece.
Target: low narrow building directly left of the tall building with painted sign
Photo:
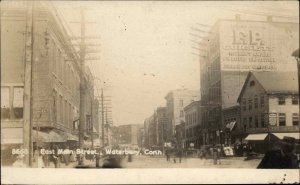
(193, 135)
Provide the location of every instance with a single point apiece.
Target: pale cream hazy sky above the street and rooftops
(147, 47)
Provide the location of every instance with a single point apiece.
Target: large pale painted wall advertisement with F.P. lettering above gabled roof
(263, 46)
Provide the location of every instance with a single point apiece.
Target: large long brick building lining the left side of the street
(53, 107)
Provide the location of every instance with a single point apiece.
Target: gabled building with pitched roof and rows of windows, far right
(269, 103)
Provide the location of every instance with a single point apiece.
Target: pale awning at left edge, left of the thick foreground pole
(11, 135)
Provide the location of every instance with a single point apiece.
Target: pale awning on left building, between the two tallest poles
(47, 137)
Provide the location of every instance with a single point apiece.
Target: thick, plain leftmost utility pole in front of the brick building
(27, 128)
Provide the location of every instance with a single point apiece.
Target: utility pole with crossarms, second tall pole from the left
(82, 84)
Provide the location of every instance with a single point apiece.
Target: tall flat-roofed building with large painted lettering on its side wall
(235, 47)
